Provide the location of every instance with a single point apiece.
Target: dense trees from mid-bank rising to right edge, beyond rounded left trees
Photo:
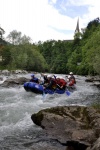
(80, 56)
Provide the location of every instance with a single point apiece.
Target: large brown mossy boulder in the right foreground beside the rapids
(76, 124)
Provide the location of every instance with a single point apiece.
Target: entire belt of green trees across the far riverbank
(81, 55)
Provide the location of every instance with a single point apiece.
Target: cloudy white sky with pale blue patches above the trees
(44, 20)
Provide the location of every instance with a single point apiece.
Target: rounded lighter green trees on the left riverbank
(25, 57)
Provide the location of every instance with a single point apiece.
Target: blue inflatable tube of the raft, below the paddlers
(37, 88)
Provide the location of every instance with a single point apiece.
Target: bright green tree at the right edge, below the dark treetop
(91, 53)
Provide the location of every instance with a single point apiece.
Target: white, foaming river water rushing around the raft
(17, 131)
